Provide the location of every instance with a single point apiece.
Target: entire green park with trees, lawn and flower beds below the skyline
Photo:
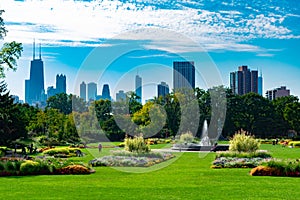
(54, 152)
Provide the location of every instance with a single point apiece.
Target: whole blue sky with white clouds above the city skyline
(111, 41)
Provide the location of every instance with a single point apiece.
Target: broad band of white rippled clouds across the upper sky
(74, 23)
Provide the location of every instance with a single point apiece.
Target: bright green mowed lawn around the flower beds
(189, 177)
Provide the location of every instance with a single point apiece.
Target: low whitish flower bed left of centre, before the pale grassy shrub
(128, 159)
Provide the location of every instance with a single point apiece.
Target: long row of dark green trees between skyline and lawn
(68, 119)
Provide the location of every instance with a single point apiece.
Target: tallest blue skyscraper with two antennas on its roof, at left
(34, 87)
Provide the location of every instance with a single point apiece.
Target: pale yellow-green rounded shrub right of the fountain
(243, 142)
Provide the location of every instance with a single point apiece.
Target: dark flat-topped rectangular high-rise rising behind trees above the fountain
(183, 74)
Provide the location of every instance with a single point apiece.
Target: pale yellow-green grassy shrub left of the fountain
(137, 144)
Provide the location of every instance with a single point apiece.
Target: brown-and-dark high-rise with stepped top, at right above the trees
(244, 81)
